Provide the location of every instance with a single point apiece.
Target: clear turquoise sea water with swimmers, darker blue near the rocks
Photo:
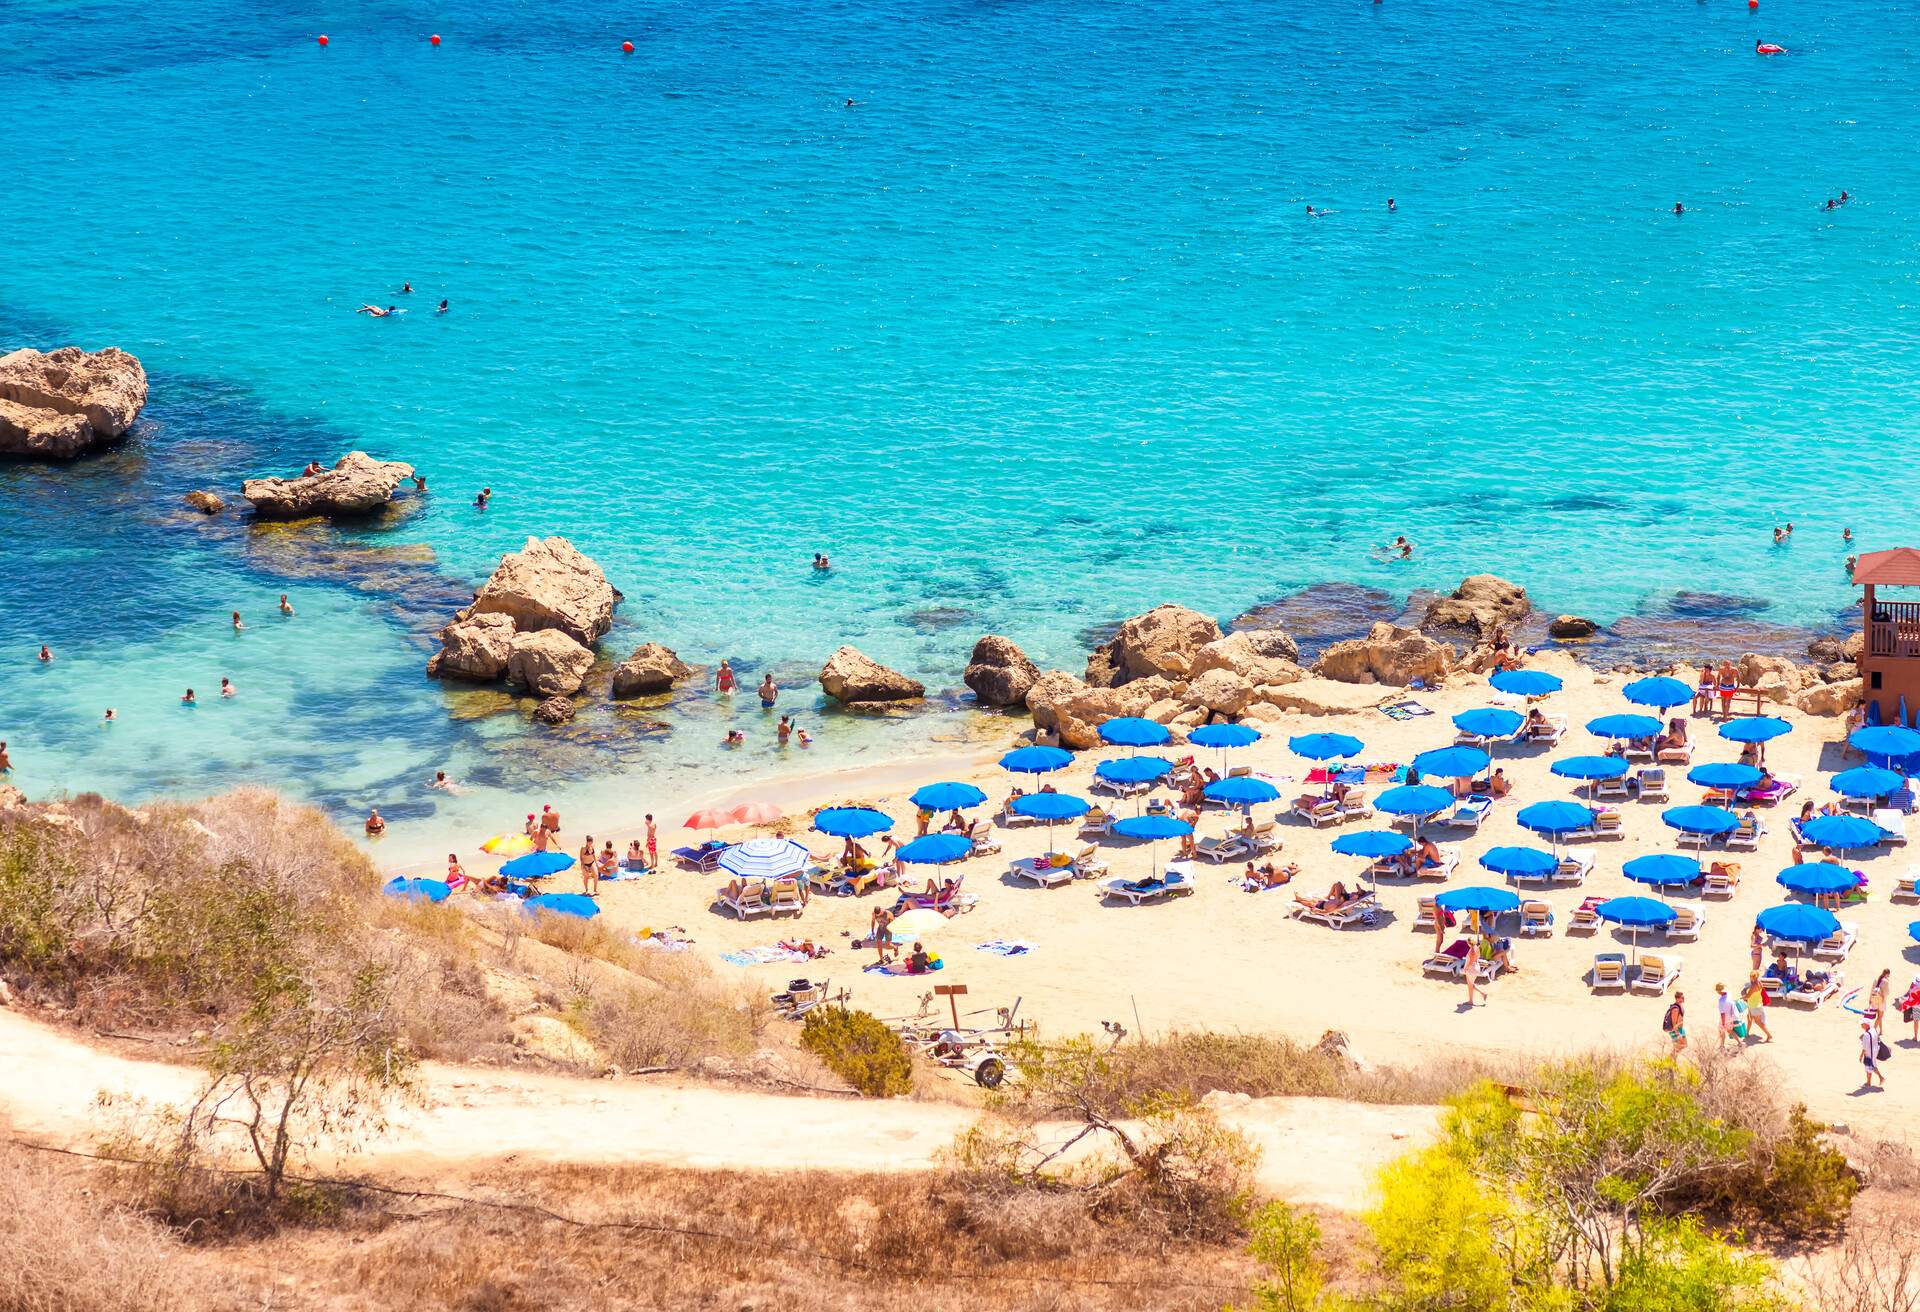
(1034, 337)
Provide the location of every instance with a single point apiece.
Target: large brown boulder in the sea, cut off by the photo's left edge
(59, 404)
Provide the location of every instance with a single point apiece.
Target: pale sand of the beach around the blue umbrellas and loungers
(1228, 960)
